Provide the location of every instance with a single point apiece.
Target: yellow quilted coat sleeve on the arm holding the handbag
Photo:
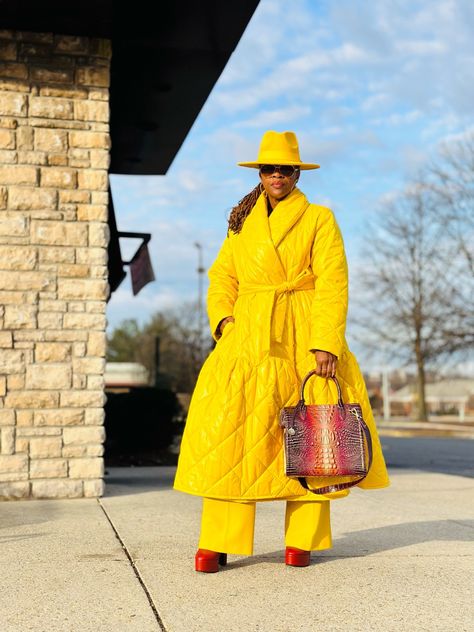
(330, 302)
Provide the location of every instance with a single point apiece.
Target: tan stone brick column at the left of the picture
(54, 157)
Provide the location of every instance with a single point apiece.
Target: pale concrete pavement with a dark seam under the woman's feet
(402, 560)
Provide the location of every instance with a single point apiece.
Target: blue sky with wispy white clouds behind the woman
(371, 90)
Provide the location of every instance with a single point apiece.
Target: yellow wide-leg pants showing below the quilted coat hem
(228, 526)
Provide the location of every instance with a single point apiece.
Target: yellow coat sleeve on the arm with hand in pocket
(223, 287)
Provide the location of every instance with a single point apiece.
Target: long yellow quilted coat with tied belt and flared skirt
(284, 279)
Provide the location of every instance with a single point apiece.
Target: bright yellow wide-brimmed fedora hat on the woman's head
(279, 148)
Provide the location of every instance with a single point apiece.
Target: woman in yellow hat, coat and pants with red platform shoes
(277, 305)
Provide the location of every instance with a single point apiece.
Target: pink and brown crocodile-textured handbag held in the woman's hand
(326, 440)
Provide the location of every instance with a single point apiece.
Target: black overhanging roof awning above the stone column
(163, 67)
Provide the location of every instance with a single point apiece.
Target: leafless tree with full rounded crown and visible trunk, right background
(416, 287)
